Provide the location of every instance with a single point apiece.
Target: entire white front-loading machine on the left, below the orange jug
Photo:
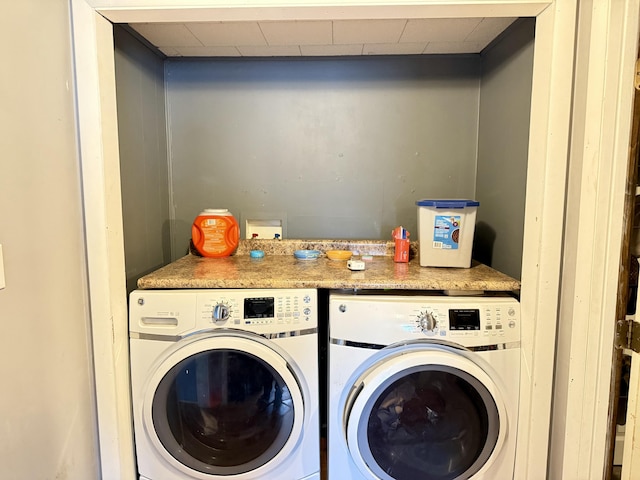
(225, 384)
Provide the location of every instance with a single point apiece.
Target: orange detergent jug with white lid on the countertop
(215, 233)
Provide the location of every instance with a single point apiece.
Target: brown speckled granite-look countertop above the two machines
(280, 269)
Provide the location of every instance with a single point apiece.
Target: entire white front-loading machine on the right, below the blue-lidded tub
(422, 387)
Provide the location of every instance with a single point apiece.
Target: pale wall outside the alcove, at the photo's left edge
(47, 402)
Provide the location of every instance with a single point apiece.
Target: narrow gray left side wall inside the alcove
(143, 156)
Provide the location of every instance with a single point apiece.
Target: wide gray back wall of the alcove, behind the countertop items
(341, 147)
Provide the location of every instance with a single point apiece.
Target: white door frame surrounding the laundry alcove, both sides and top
(548, 153)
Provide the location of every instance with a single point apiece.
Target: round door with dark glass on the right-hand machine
(428, 412)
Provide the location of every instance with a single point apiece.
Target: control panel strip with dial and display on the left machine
(262, 311)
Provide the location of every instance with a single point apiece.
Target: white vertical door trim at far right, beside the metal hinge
(602, 116)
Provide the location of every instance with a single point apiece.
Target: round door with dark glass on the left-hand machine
(226, 405)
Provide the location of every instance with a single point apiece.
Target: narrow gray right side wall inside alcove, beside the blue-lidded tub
(503, 140)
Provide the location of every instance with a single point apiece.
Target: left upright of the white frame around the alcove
(93, 56)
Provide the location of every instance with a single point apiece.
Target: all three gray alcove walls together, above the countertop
(342, 147)
